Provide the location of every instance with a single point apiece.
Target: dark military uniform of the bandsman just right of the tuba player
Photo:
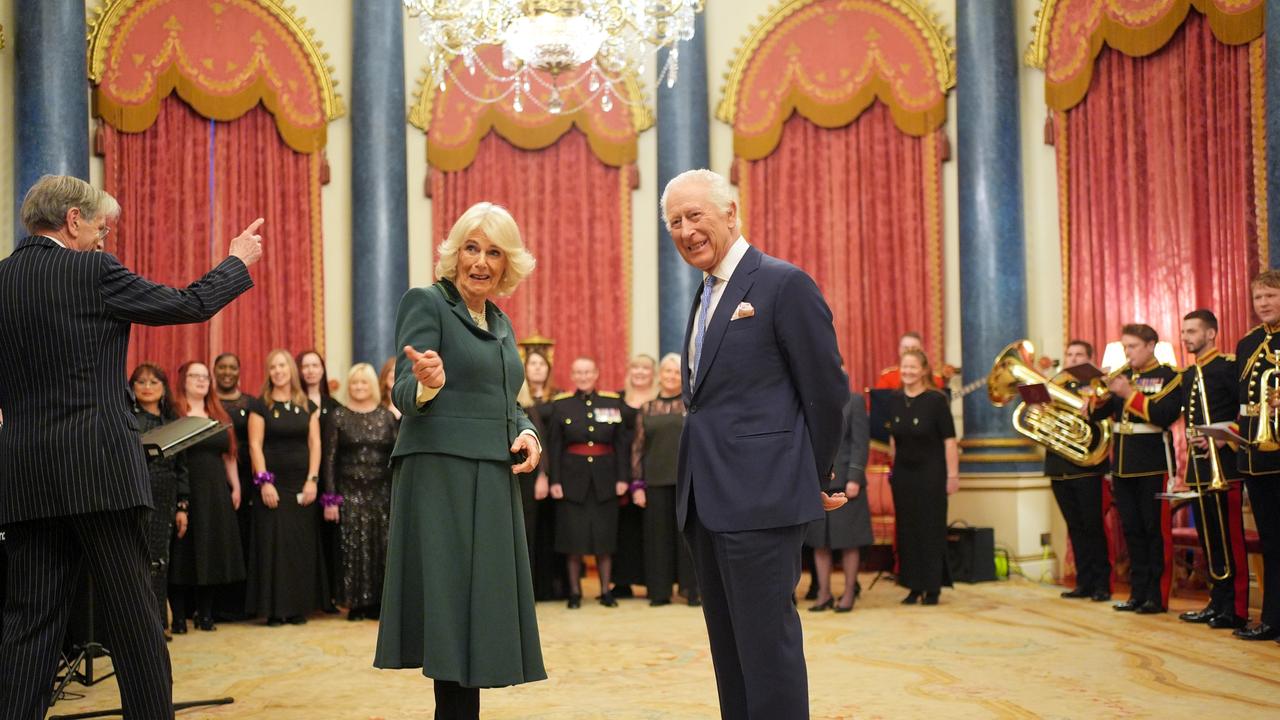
(1141, 463)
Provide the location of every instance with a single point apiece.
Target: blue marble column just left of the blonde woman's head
(380, 188)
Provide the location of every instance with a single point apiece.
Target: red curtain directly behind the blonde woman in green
(575, 217)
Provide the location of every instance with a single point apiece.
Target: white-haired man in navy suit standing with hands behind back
(765, 394)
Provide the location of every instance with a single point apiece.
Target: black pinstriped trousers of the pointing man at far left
(45, 559)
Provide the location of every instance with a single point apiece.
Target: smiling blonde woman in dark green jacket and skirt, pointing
(459, 598)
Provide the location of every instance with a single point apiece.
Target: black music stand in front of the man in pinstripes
(166, 441)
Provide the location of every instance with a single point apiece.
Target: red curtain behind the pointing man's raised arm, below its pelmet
(186, 188)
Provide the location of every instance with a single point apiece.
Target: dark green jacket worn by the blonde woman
(476, 414)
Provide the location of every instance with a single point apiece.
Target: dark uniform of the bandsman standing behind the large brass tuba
(1078, 490)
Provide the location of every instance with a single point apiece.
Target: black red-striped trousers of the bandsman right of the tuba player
(1142, 518)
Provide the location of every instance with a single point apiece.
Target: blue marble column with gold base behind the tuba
(993, 276)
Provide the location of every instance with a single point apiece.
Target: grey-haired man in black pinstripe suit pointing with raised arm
(74, 477)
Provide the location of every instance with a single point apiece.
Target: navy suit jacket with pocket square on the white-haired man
(766, 411)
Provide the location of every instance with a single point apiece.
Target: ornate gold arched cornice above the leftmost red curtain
(108, 15)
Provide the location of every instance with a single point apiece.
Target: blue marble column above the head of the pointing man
(51, 94)
